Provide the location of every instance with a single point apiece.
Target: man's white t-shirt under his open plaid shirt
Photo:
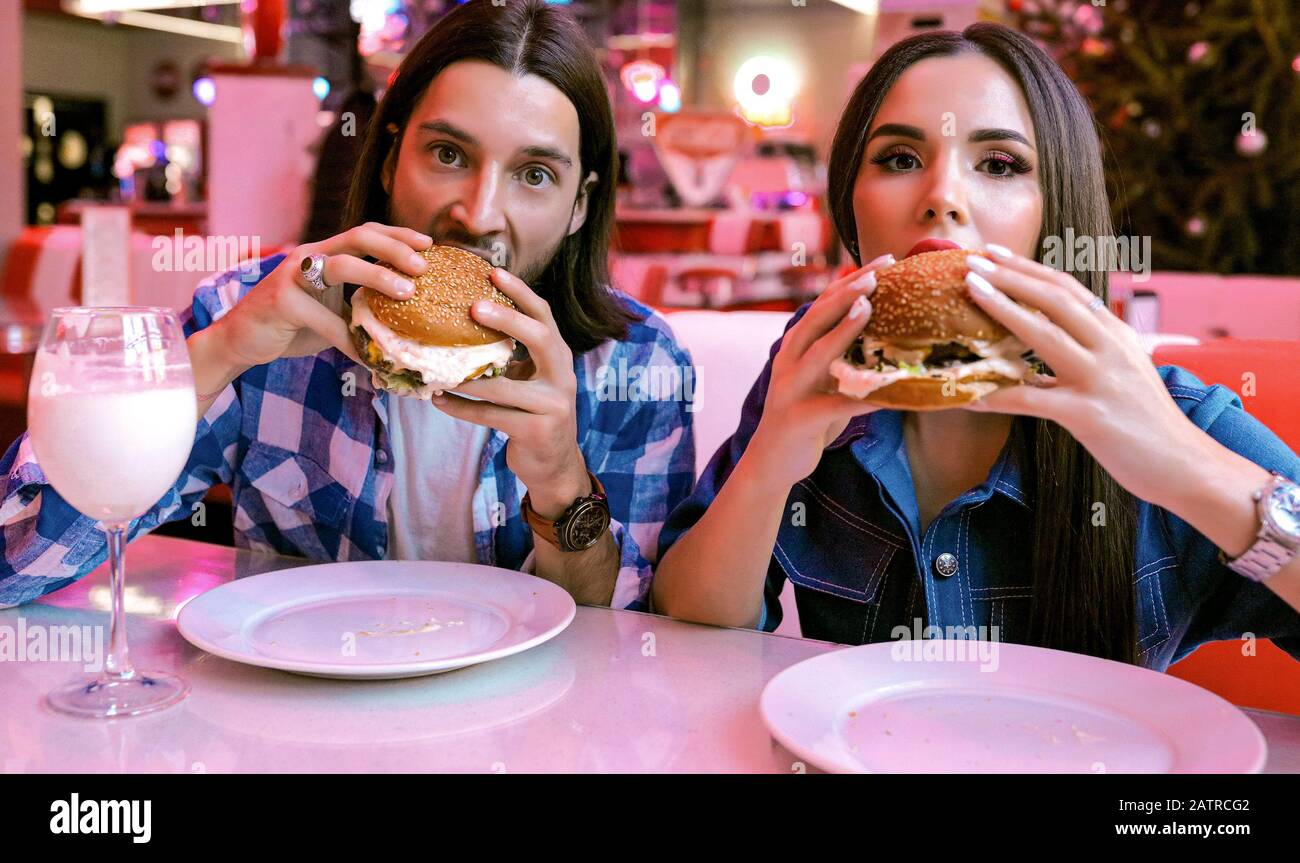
(435, 476)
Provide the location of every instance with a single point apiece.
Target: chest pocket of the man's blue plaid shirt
(298, 488)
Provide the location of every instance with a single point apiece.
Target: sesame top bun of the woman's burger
(922, 301)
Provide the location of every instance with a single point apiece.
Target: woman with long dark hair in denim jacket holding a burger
(1104, 513)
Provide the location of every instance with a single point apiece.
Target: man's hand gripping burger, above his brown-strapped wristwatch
(538, 407)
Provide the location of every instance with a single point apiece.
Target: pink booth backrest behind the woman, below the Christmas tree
(1208, 306)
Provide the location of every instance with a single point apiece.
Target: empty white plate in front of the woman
(889, 709)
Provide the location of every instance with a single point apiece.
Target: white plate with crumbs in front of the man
(376, 619)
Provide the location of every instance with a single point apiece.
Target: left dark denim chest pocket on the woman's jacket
(825, 547)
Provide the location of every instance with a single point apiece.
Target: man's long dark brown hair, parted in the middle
(522, 37)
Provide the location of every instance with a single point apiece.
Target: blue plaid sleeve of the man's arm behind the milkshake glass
(46, 544)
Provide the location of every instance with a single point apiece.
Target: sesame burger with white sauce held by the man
(428, 342)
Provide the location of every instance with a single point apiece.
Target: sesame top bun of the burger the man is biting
(439, 311)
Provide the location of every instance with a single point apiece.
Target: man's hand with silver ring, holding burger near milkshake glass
(284, 316)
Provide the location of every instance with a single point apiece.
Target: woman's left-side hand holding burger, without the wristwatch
(804, 413)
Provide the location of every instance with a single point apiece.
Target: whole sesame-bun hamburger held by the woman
(928, 345)
